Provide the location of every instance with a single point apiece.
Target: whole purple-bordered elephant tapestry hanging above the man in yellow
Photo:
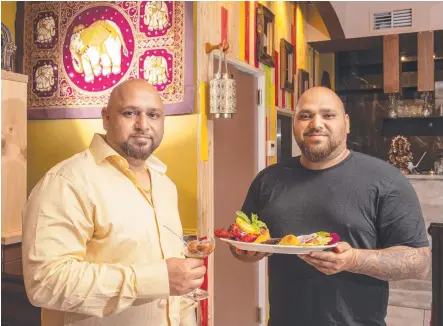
(77, 52)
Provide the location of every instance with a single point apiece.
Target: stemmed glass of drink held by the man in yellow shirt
(198, 247)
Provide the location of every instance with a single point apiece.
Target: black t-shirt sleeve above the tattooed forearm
(400, 220)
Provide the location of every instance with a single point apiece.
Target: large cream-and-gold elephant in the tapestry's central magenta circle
(96, 50)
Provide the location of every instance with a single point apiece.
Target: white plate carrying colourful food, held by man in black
(276, 249)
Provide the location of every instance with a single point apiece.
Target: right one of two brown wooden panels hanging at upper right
(425, 61)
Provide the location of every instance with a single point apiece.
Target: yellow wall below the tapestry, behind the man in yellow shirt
(51, 141)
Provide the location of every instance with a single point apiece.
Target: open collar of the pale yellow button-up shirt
(101, 150)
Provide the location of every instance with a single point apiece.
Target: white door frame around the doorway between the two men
(261, 164)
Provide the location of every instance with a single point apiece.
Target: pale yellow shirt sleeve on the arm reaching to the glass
(58, 222)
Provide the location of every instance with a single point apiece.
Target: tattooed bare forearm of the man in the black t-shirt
(392, 264)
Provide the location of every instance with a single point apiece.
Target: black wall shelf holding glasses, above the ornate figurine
(413, 126)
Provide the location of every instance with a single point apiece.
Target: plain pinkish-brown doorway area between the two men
(236, 153)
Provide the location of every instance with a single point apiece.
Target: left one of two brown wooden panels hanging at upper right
(391, 63)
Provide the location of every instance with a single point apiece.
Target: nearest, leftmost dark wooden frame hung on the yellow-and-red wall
(265, 35)
